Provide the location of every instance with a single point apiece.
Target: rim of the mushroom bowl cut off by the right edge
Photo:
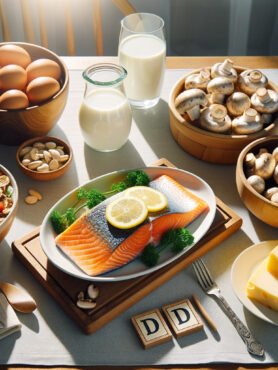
(239, 166)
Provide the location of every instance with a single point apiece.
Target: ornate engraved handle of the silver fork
(253, 346)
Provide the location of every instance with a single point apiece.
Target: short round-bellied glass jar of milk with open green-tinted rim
(105, 115)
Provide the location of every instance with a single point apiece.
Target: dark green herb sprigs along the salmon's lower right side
(175, 239)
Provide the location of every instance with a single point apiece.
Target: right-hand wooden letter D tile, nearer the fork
(182, 317)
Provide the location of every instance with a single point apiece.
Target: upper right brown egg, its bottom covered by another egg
(43, 68)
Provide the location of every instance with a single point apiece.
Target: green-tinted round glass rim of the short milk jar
(101, 66)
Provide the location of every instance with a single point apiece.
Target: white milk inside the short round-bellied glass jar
(105, 119)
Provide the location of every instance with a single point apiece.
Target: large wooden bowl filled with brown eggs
(34, 84)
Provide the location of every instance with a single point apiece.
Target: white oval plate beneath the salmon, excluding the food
(135, 268)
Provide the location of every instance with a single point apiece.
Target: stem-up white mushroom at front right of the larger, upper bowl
(248, 123)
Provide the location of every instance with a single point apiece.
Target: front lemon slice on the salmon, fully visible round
(126, 212)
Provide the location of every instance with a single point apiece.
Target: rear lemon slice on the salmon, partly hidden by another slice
(154, 200)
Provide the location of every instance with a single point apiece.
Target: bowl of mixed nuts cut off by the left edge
(8, 201)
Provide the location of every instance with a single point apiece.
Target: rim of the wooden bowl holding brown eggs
(65, 71)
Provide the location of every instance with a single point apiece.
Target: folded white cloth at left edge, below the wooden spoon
(9, 322)
